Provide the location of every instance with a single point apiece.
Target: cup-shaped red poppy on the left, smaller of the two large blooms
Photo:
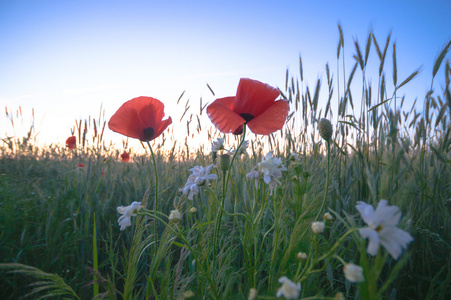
(140, 118)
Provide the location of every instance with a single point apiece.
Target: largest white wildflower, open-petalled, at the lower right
(382, 228)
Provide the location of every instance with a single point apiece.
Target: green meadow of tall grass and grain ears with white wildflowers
(247, 231)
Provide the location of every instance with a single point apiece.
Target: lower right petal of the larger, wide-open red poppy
(271, 120)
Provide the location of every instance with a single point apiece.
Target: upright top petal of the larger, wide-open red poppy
(254, 97)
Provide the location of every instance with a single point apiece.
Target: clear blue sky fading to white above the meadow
(66, 58)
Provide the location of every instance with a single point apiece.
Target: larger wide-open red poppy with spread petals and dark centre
(254, 104)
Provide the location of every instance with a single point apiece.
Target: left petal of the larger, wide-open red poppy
(222, 116)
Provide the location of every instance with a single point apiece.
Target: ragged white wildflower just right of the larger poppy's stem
(270, 170)
